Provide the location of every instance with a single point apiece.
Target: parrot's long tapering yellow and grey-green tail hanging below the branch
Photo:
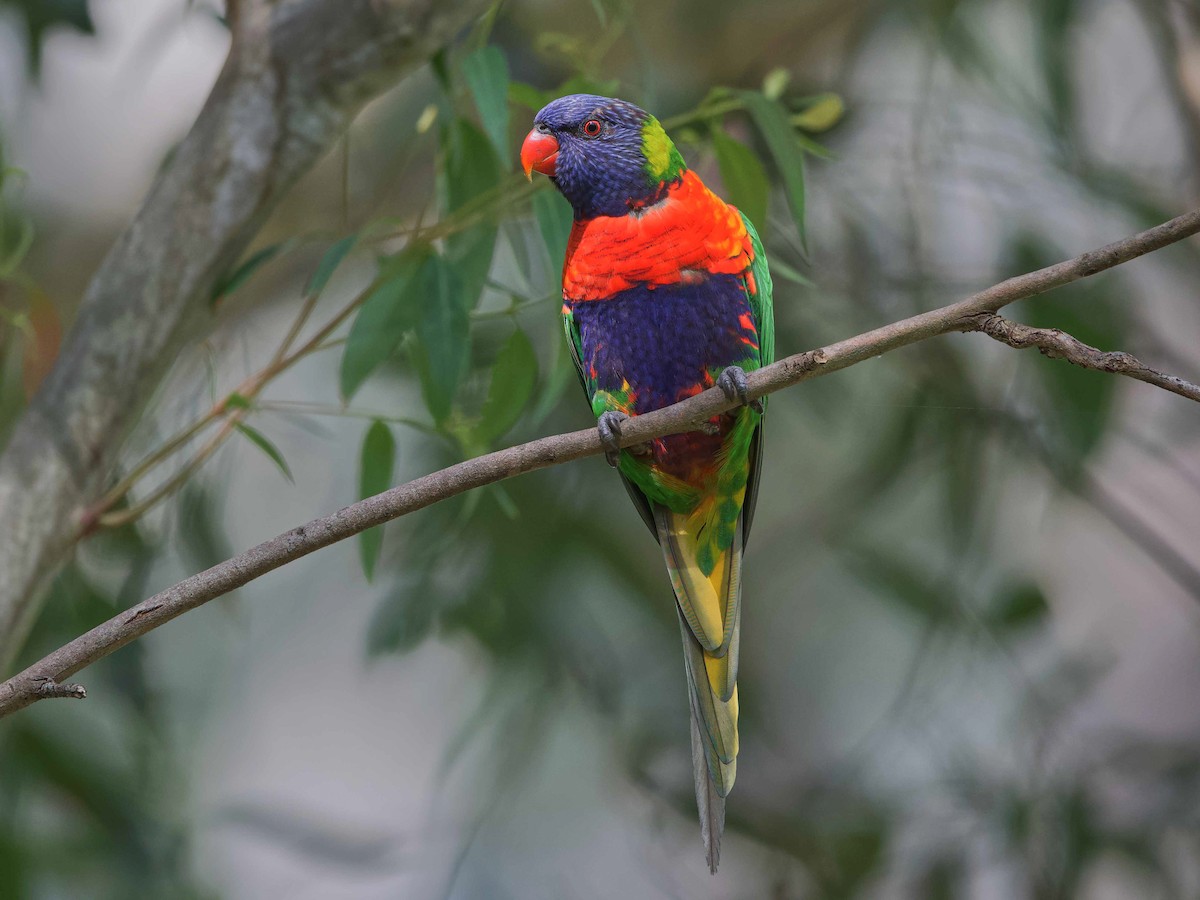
(711, 622)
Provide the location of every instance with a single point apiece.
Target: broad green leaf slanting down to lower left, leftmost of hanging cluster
(389, 311)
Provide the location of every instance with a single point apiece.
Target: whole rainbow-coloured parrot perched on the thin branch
(667, 293)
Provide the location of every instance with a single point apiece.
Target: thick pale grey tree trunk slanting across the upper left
(298, 71)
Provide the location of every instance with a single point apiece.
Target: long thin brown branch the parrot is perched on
(23, 689)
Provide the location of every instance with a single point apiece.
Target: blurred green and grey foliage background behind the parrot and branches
(971, 658)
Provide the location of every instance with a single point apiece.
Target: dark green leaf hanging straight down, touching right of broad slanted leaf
(445, 333)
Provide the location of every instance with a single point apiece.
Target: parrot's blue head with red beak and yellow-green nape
(605, 155)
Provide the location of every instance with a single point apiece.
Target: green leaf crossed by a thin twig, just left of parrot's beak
(471, 169)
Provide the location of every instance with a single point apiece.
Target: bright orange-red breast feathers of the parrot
(691, 232)
